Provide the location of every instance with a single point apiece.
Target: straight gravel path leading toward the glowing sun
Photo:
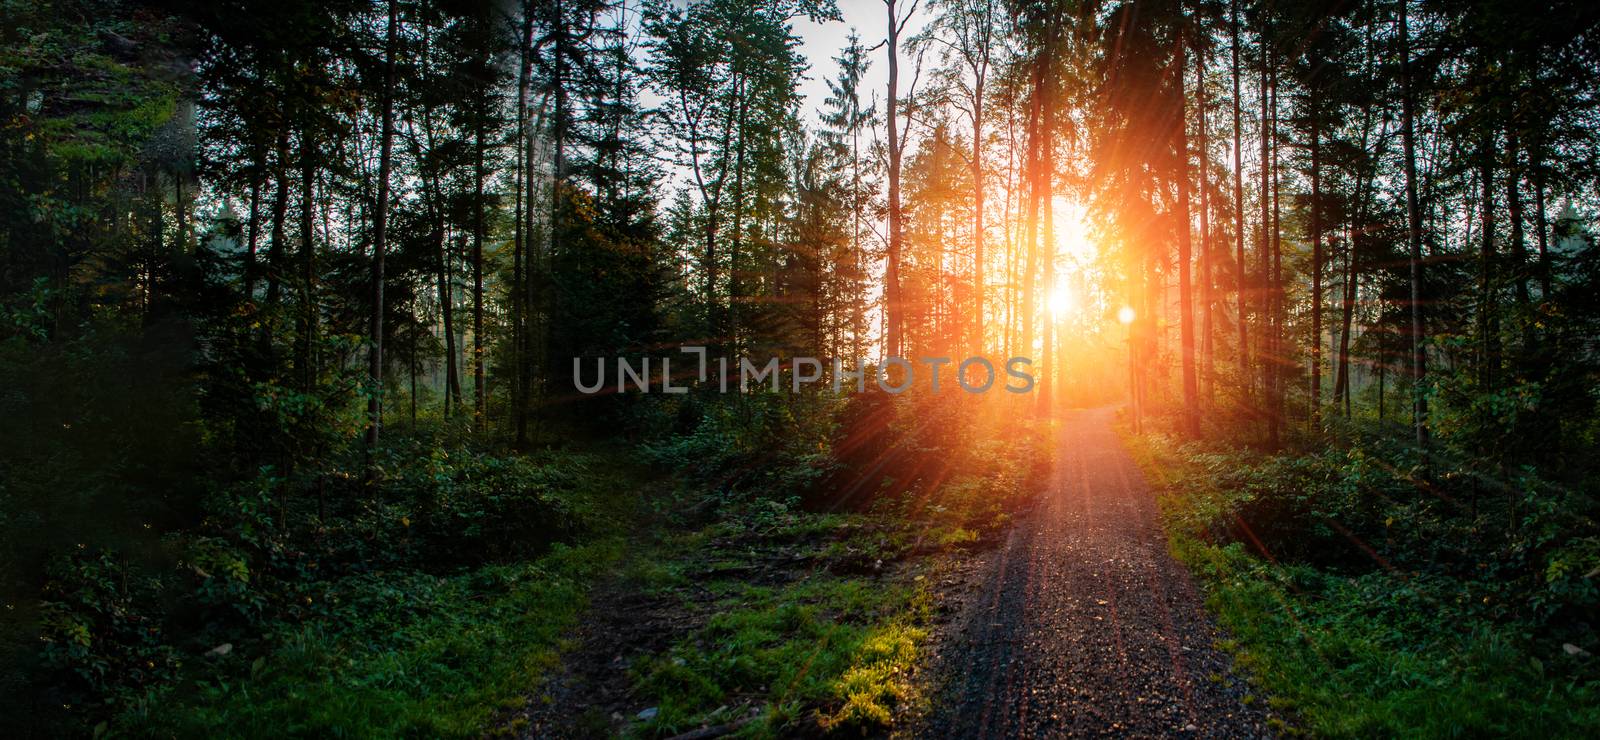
(1082, 624)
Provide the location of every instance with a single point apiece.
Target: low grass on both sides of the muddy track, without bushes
(793, 624)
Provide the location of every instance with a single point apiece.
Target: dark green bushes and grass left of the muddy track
(366, 606)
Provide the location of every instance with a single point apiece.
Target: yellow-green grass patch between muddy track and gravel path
(820, 653)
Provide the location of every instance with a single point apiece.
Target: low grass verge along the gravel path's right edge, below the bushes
(1378, 654)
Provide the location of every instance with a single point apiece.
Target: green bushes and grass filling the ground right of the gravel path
(1375, 598)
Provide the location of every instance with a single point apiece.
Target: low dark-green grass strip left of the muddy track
(438, 658)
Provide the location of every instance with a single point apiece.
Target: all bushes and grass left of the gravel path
(431, 590)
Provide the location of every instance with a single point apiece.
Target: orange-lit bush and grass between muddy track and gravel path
(809, 587)
